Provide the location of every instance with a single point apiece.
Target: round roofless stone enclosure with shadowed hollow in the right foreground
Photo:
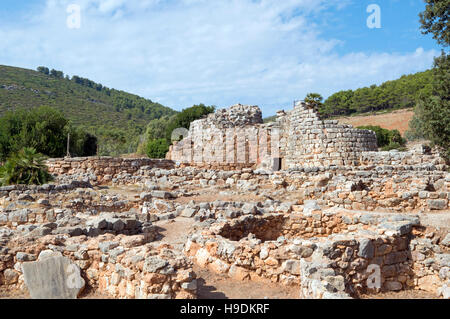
(328, 254)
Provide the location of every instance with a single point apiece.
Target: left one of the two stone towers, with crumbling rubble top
(233, 138)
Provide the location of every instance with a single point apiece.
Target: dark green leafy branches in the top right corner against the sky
(435, 20)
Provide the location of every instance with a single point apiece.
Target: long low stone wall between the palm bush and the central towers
(104, 168)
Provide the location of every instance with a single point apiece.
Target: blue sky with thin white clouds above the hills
(220, 52)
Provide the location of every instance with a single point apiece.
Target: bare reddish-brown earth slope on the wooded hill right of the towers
(395, 120)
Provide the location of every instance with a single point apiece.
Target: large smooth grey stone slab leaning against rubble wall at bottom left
(55, 277)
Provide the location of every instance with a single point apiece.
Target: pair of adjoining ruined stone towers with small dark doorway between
(237, 138)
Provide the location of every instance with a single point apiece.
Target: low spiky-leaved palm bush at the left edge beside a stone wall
(25, 167)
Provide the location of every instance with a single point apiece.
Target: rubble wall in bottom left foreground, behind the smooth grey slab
(121, 267)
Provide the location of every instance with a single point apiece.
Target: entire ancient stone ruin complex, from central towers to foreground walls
(300, 204)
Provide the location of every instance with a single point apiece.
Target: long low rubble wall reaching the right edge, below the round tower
(372, 189)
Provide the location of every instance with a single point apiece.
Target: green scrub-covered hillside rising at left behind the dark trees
(117, 118)
